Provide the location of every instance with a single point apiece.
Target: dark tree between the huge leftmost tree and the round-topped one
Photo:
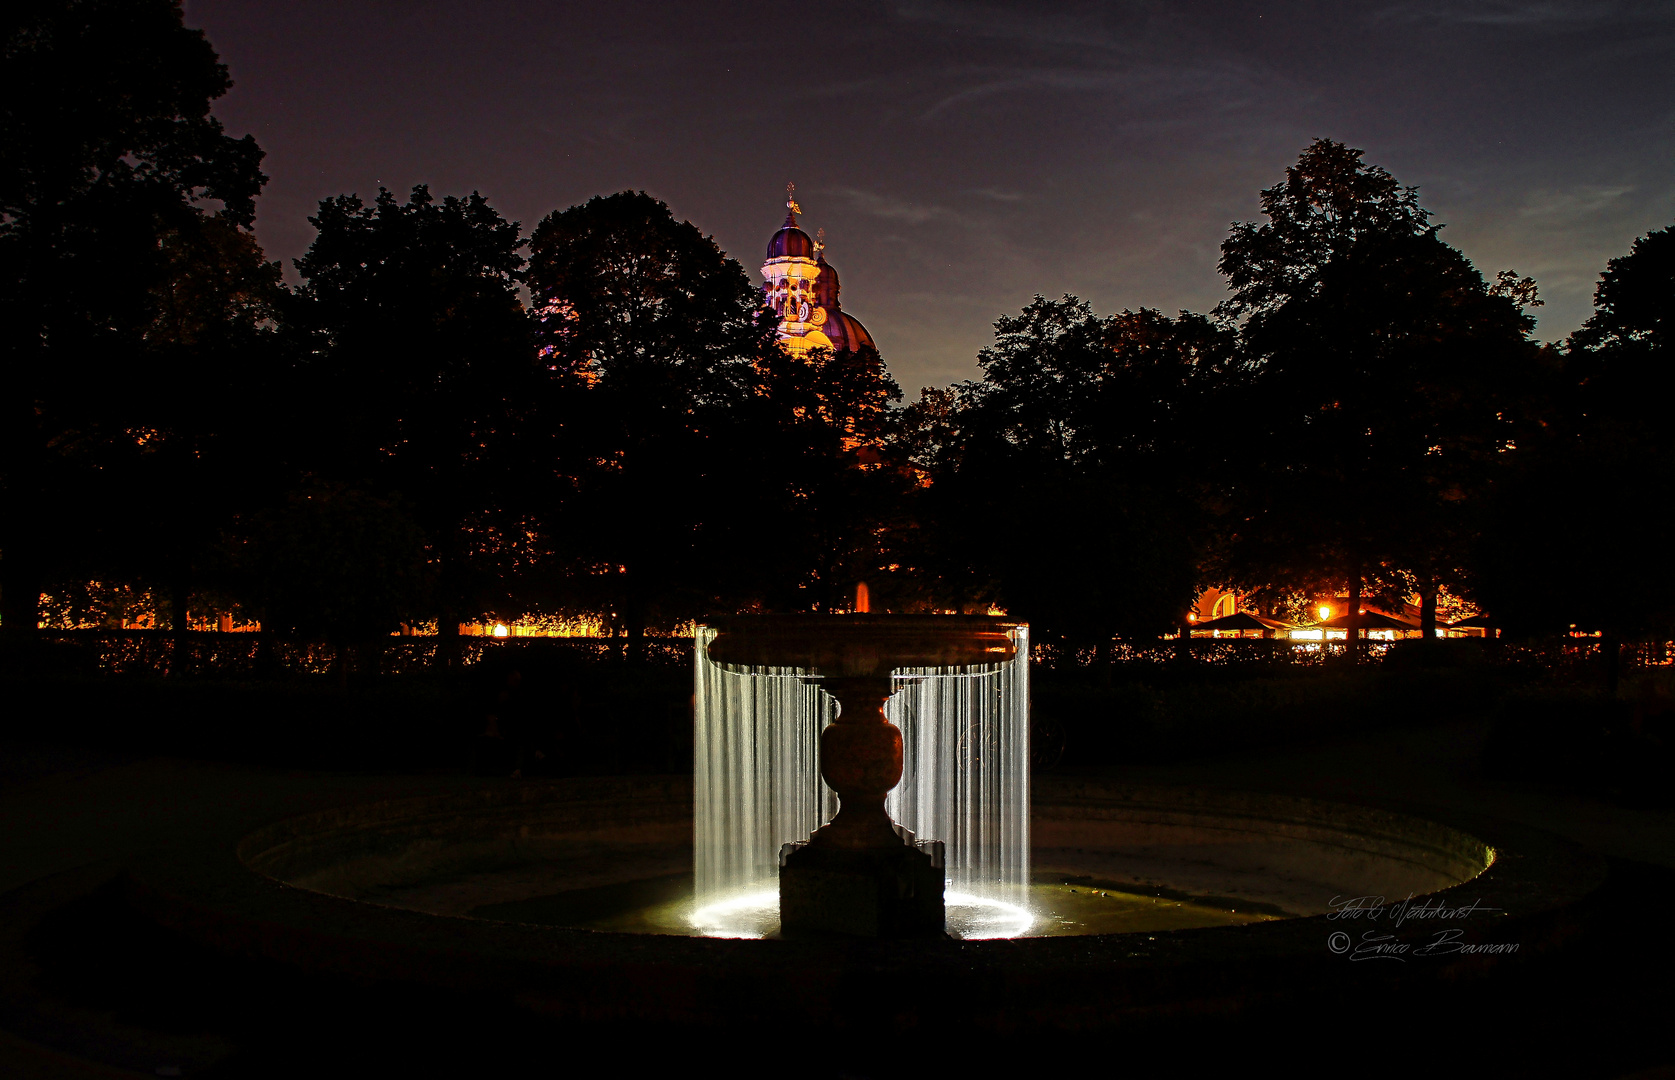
(423, 376)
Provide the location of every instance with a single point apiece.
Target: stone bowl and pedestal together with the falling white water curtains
(766, 736)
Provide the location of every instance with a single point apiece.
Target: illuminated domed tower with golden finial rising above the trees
(803, 291)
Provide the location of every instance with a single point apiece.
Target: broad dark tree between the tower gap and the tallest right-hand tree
(1083, 429)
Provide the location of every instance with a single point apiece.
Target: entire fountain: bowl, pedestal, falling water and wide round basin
(838, 761)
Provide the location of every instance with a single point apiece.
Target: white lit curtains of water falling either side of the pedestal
(966, 776)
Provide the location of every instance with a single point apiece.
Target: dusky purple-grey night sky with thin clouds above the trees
(966, 157)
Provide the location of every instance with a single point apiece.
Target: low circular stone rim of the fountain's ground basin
(205, 892)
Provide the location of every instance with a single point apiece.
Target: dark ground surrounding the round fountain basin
(91, 990)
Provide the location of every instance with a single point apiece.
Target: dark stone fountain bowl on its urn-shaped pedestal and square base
(862, 873)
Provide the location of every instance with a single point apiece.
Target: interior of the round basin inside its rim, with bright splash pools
(1106, 861)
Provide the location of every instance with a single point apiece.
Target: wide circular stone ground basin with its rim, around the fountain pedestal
(381, 893)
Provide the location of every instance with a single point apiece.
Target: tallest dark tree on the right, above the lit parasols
(1383, 376)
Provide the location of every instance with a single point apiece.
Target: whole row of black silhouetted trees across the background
(455, 419)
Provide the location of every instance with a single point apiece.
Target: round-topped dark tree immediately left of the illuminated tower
(662, 334)
